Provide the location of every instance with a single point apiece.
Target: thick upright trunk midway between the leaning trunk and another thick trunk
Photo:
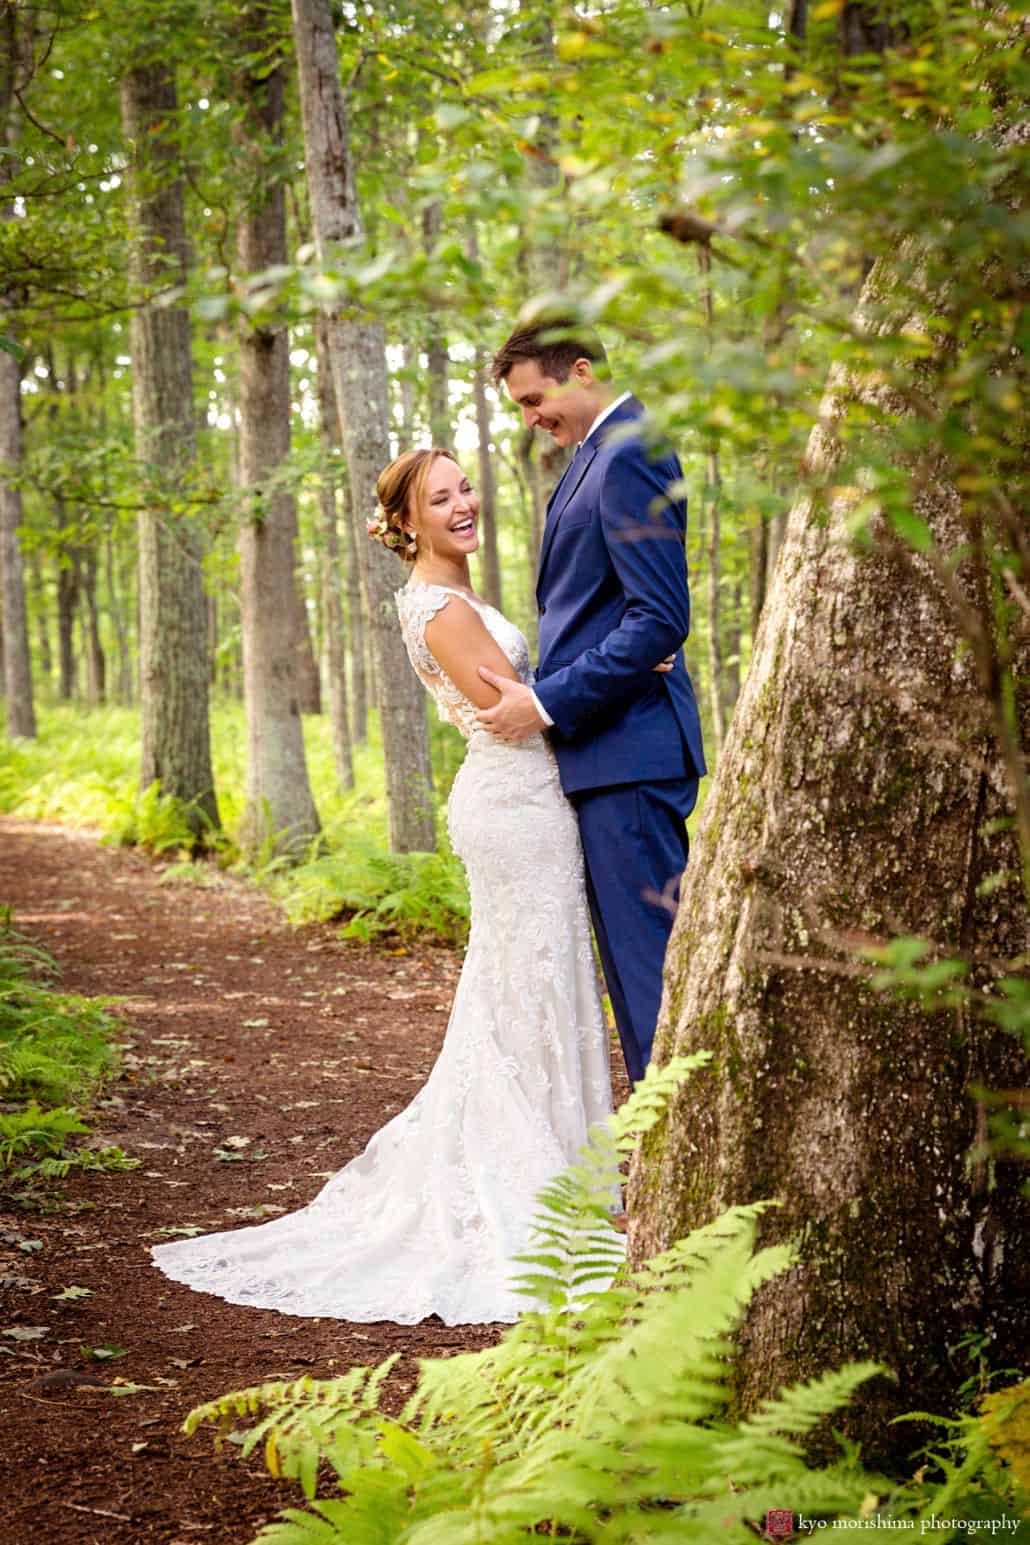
(280, 809)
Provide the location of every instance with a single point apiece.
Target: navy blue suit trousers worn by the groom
(635, 849)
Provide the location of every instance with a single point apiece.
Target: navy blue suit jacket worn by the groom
(614, 603)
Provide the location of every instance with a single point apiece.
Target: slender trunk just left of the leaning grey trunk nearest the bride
(333, 611)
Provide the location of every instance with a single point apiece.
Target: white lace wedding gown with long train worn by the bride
(429, 1218)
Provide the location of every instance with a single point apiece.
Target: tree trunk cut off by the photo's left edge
(16, 67)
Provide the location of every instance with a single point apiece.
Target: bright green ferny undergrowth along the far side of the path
(84, 772)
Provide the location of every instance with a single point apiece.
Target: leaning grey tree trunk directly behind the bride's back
(357, 356)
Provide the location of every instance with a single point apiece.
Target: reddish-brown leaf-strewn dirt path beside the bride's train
(239, 1027)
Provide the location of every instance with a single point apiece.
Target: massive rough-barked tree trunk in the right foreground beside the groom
(859, 790)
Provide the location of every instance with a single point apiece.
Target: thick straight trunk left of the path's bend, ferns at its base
(177, 747)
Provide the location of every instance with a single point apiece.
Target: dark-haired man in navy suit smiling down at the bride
(614, 605)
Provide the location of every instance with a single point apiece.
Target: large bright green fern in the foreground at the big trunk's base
(598, 1418)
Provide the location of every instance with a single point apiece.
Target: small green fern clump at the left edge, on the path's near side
(56, 1050)
